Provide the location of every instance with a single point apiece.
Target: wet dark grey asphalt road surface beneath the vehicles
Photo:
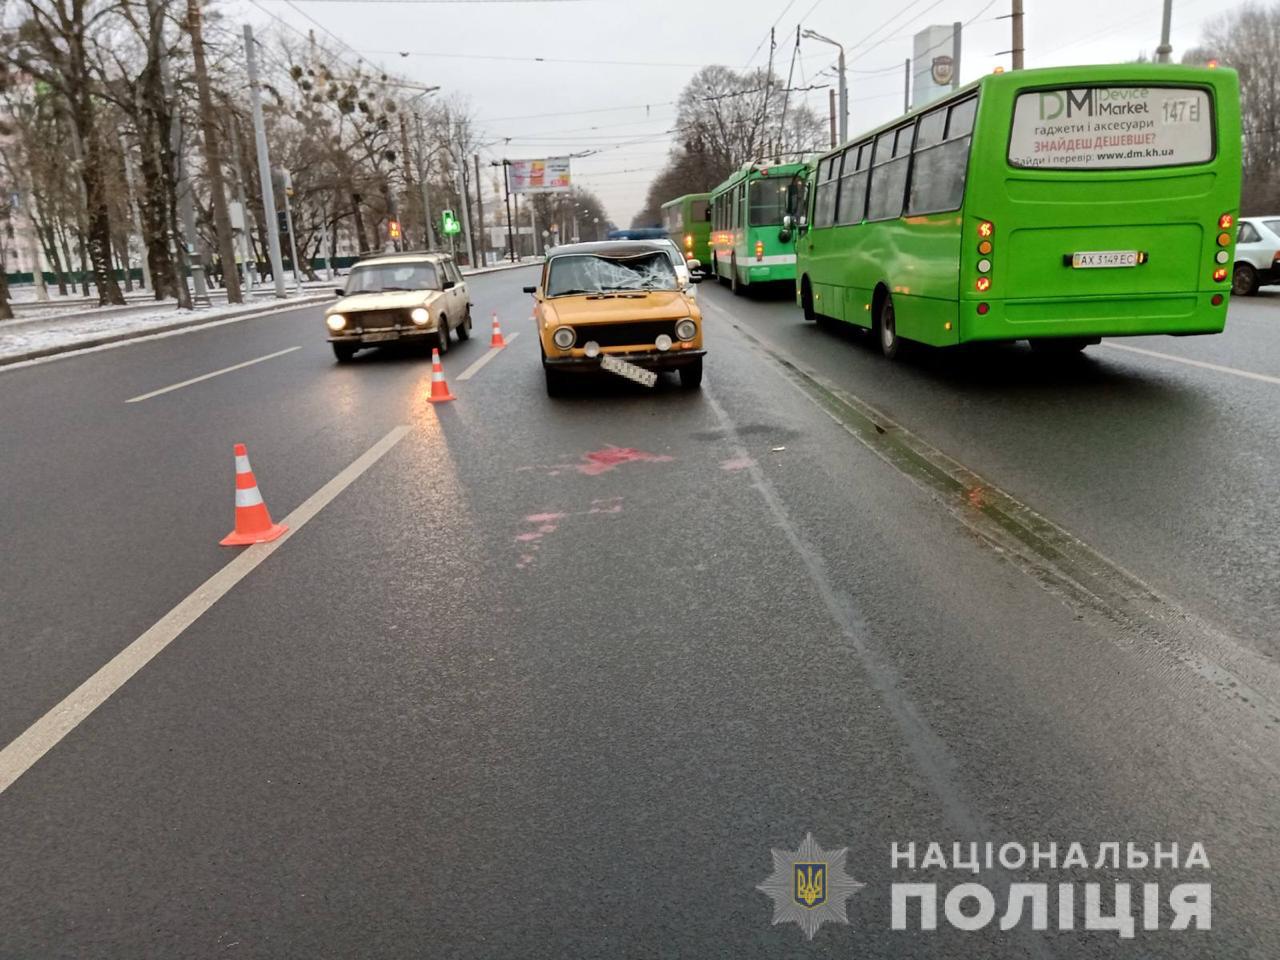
(552, 679)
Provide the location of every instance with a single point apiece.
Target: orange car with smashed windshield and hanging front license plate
(616, 307)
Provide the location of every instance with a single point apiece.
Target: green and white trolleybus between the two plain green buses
(752, 241)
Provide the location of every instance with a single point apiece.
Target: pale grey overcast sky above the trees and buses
(446, 42)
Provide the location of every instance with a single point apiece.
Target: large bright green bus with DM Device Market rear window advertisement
(1054, 205)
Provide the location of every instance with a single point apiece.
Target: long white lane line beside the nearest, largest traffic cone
(47, 733)
